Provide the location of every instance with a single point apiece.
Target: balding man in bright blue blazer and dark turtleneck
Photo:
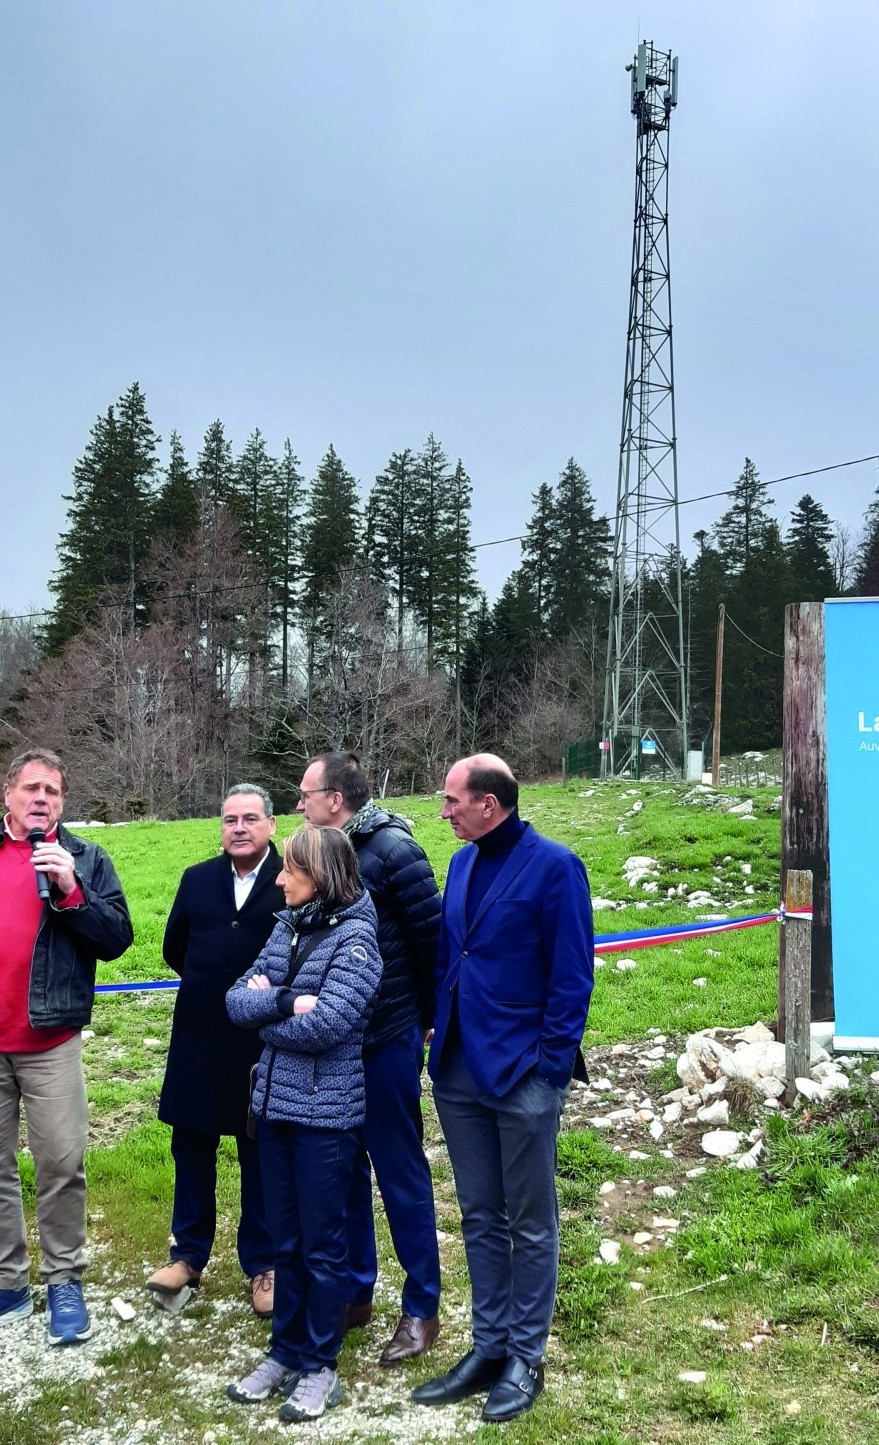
(514, 982)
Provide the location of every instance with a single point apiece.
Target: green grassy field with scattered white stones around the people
(768, 1285)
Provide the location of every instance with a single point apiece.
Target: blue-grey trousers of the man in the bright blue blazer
(504, 1155)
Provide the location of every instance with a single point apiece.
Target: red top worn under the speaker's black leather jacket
(21, 914)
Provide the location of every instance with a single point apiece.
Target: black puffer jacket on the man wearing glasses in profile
(404, 889)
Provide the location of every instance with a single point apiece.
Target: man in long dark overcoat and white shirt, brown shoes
(222, 917)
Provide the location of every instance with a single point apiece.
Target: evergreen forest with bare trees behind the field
(222, 618)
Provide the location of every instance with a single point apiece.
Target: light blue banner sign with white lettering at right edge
(852, 642)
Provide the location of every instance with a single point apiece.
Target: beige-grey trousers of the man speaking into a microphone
(53, 1090)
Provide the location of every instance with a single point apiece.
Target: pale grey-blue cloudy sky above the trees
(361, 222)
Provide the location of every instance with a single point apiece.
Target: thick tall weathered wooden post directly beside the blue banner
(805, 830)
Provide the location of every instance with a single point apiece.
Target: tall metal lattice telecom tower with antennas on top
(646, 690)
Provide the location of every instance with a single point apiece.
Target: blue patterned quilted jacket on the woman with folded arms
(312, 1069)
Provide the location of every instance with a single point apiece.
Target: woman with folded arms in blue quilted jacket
(310, 995)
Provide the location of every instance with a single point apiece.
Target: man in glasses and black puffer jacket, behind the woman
(335, 794)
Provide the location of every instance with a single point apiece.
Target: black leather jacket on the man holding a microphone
(70, 941)
